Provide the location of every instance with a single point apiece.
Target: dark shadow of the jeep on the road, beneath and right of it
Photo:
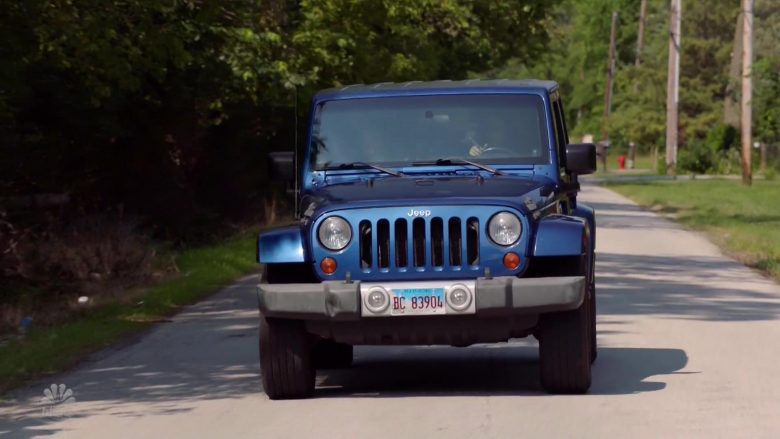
(504, 369)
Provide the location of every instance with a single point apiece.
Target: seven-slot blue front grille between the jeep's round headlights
(419, 243)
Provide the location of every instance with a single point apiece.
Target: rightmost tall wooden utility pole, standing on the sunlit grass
(747, 91)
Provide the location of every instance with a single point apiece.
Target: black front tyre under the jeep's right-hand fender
(565, 350)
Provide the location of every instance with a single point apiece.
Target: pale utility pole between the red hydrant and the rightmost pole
(673, 87)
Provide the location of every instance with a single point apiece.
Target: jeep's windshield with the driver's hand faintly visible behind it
(422, 129)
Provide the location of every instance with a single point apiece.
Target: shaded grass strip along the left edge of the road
(47, 350)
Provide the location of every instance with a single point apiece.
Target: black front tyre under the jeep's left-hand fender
(286, 366)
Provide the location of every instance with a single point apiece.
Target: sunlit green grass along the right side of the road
(744, 221)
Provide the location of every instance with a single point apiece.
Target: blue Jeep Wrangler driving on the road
(431, 213)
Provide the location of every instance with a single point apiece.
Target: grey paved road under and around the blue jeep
(690, 347)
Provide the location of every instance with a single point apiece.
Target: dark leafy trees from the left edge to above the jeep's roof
(166, 108)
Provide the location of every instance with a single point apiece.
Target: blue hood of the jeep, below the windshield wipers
(524, 192)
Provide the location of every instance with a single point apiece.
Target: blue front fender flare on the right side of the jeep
(559, 235)
